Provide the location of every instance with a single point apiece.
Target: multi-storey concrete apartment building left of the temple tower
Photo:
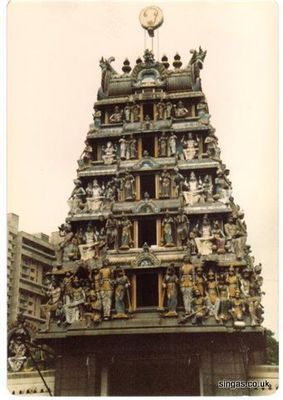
(29, 258)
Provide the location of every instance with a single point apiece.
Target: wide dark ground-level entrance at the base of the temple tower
(151, 377)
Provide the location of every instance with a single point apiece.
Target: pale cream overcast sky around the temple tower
(53, 70)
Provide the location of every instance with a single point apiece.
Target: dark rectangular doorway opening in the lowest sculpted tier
(147, 290)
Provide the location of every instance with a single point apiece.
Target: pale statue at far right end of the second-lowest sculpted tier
(235, 237)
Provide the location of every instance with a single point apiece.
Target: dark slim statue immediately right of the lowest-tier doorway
(170, 284)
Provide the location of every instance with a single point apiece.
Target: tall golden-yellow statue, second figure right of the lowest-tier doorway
(187, 284)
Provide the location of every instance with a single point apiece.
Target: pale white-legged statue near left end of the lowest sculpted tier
(75, 302)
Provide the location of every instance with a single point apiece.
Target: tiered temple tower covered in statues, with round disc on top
(155, 290)
